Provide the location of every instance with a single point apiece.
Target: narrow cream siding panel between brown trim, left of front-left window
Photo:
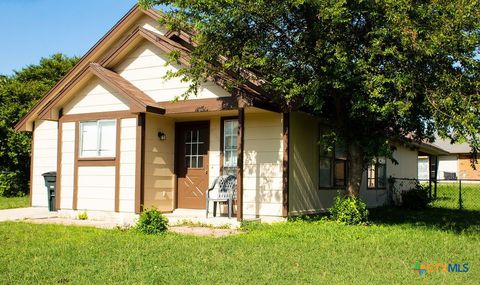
(68, 150)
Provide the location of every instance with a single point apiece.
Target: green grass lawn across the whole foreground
(288, 253)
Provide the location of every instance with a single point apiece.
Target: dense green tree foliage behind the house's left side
(18, 93)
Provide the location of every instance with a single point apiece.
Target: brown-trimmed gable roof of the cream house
(119, 41)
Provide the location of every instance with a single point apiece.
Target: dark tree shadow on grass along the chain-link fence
(452, 220)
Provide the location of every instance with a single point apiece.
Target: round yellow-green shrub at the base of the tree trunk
(348, 210)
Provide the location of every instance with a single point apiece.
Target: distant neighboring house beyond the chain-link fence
(454, 164)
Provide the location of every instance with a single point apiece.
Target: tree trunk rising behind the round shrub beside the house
(355, 169)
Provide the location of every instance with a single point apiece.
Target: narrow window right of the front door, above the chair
(230, 128)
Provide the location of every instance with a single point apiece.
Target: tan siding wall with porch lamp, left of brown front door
(159, 163)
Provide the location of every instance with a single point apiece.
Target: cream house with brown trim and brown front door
(119, 144)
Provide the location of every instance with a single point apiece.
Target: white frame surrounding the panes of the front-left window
(99, 152)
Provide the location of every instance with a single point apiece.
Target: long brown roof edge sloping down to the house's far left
(93, 55)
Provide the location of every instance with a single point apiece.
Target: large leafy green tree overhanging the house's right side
(377, 71)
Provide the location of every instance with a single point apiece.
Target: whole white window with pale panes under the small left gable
(97, 138)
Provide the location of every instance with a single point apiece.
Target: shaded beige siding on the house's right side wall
(305, 195)
